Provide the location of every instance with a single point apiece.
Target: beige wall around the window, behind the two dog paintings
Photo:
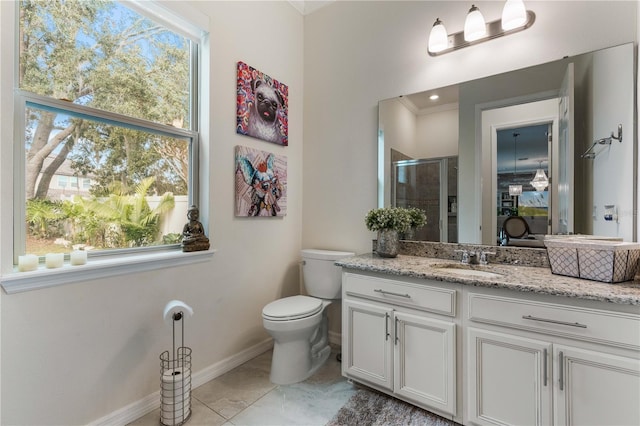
(75, 353)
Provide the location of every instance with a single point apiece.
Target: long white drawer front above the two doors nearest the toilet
(401, 293)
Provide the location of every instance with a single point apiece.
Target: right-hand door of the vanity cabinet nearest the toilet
(425, 361)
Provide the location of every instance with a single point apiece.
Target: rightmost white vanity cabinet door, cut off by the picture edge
(594, 388)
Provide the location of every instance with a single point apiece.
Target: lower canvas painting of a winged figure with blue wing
(261, 183)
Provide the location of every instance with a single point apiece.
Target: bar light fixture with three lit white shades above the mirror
(515, 18)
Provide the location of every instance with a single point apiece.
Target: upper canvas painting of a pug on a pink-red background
(262, 106)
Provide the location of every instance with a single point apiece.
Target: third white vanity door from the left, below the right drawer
(507, 379)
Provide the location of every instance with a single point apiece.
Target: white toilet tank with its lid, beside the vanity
(321, 277)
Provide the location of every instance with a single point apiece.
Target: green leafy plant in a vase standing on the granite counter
(389, 222)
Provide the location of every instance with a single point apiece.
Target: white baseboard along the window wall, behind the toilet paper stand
(151, 402)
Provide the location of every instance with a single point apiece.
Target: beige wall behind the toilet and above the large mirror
(357, 53)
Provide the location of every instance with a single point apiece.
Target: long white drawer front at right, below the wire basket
(619, 329)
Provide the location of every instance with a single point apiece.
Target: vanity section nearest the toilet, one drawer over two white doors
(400, 337)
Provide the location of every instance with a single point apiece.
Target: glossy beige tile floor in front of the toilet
(245, 396)
